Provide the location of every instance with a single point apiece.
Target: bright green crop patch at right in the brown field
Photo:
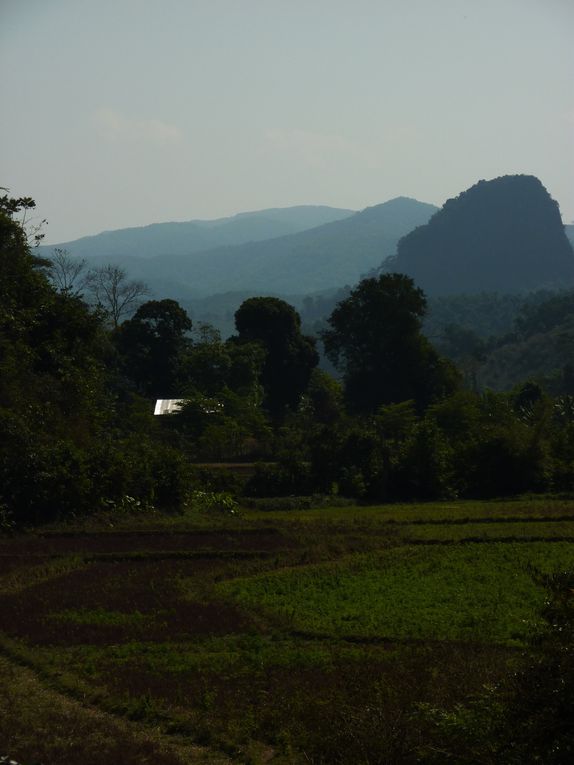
(471, 592)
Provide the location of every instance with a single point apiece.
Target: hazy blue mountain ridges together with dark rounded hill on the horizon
(504, 235)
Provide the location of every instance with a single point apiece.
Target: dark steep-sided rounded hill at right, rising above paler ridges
(503, 235)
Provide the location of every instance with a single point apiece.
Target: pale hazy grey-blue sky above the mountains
(119, 113)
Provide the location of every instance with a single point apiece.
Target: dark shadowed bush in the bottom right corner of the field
(528, 716)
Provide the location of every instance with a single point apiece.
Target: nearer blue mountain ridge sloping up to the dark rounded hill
(319, 258)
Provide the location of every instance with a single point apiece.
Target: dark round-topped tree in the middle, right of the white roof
(290, 355)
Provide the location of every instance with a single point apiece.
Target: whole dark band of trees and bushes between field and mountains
(398, 422)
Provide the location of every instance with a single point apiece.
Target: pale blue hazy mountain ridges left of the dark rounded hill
(321, 257)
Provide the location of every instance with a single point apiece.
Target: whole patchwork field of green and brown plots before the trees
(294, 636)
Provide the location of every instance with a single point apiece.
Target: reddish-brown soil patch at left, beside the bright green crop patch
(105, 603)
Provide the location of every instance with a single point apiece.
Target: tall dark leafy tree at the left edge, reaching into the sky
(52, 398)
